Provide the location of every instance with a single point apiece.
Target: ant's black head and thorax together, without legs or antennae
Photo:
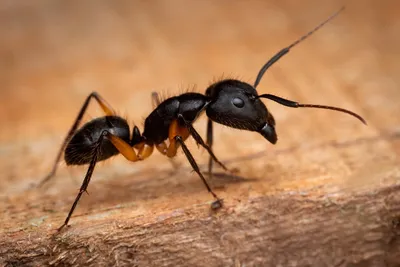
(229, 102)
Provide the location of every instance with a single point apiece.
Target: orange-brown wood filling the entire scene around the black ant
(327, 194)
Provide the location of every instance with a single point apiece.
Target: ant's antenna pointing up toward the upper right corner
(285, 50)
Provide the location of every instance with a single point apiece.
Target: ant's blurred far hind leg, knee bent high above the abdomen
(107, 110)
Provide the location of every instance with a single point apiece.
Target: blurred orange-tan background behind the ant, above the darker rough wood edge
(54, 53)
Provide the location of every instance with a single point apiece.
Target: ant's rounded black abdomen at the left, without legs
(80, 148)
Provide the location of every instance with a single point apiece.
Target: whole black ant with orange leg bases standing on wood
(229, 102)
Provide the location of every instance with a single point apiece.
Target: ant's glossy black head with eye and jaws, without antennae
(236, 104)
